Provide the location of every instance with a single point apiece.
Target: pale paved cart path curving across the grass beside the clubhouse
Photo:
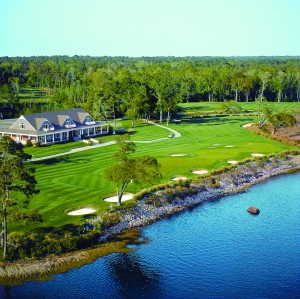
(88, 147)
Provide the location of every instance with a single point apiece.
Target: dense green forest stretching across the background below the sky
(146, 86)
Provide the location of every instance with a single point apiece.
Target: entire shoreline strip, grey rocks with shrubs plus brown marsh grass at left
(156, 205)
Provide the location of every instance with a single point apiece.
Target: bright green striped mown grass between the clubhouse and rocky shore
(76, 181)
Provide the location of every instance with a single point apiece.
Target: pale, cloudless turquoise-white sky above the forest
(150, 27)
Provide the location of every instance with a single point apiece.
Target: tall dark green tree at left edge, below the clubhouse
(14, 176)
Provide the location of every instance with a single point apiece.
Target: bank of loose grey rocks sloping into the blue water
(245, 177)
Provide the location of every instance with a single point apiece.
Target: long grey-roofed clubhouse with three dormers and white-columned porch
(54, 127)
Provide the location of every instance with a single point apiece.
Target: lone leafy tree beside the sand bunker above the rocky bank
(141, 170)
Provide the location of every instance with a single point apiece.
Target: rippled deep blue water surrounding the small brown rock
(217, 250)
